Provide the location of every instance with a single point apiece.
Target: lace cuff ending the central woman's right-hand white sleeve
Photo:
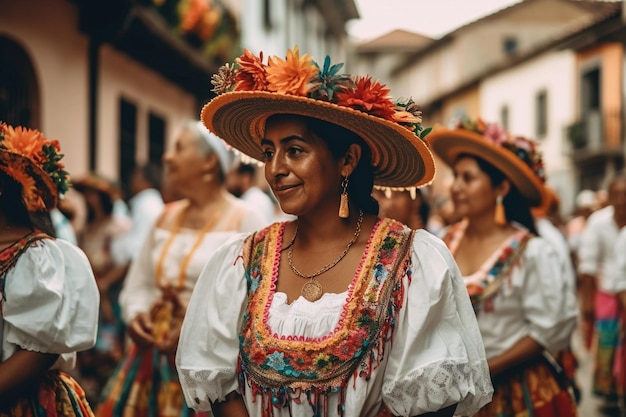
(438, 385)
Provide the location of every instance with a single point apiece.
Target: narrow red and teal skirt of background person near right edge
(607, 339)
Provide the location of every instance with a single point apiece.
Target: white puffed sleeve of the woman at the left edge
(51, 300)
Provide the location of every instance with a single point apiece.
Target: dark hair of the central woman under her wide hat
(361, 181)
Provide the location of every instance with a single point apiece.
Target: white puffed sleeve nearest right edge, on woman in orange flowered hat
(548, 300)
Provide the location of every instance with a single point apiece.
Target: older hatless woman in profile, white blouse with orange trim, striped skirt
(159, 282)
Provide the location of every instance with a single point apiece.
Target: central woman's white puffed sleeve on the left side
(209, 345)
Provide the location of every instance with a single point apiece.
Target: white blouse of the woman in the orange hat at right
(535, 300)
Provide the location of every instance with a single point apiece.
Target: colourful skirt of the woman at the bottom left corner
(55, 395)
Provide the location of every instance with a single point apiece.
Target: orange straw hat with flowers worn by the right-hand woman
(515, 156)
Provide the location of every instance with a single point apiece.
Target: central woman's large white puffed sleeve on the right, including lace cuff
(438, 358)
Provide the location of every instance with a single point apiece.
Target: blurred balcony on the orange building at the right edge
(597, 134)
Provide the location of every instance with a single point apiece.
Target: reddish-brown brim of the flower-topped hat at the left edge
(44, 186)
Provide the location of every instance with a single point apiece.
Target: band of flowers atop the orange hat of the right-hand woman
(524, 148)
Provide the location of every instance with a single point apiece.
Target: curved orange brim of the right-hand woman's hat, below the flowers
(448, 144)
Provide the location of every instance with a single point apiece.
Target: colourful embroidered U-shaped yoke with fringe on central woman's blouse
(280, 369)
